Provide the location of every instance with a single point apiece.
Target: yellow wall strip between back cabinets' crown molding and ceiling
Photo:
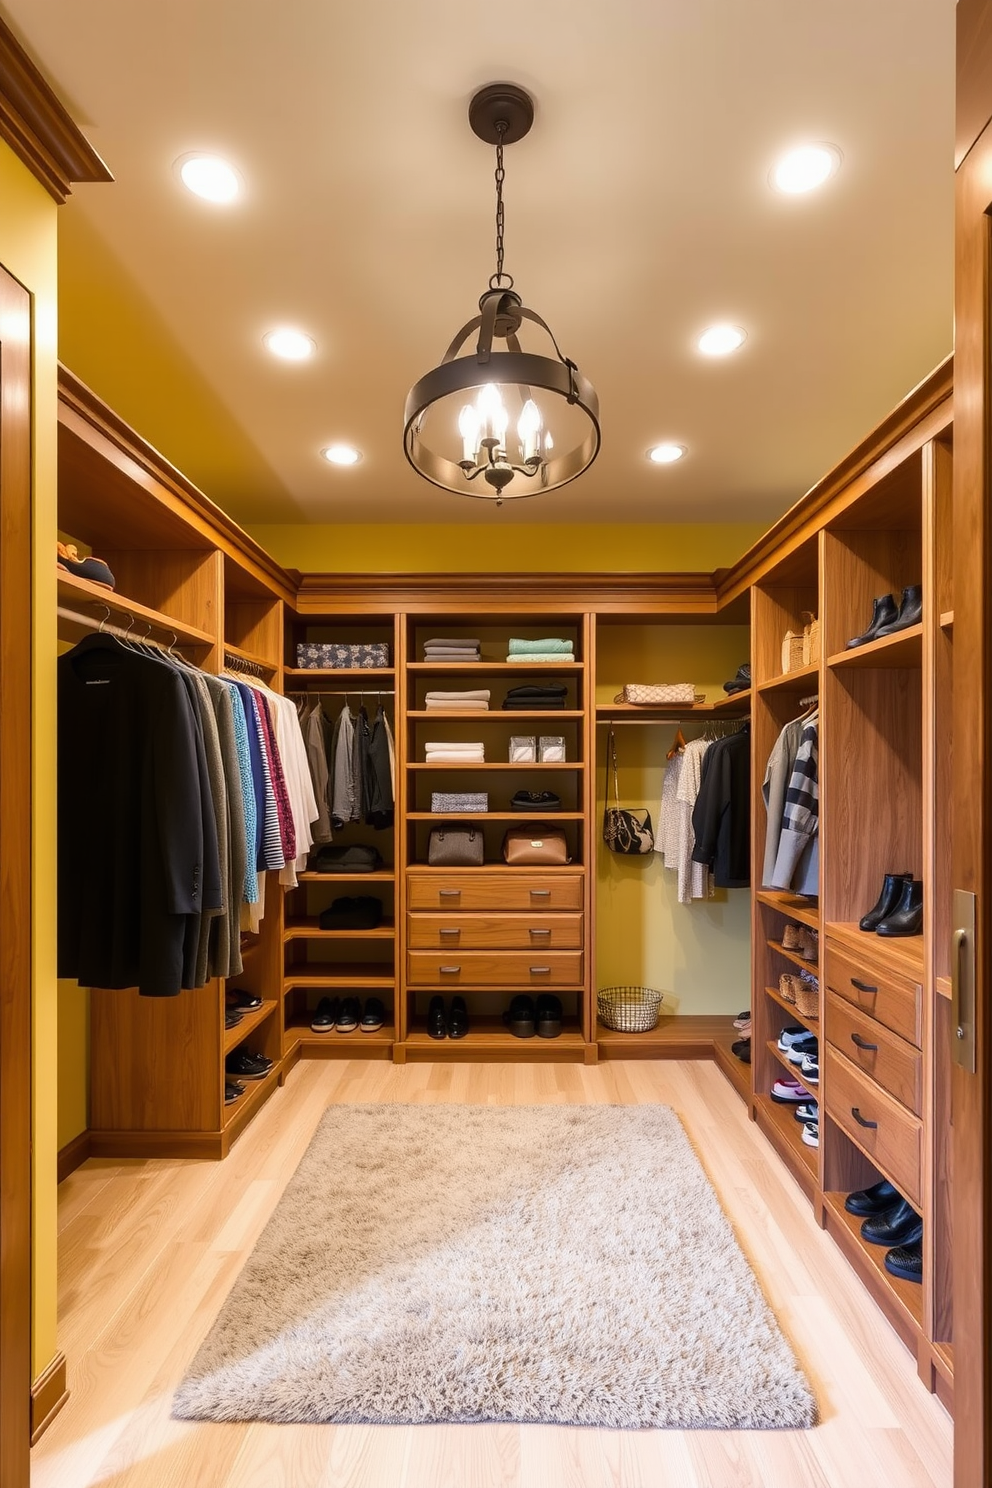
(545, 548)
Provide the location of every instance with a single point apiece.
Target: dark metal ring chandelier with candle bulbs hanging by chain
(499, 422)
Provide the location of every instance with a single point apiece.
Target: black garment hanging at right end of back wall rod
(722, 816)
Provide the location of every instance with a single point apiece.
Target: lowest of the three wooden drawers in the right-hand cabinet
(895, 1144)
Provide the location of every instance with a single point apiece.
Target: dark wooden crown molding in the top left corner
(38, 129)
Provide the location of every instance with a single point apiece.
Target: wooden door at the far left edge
(16, 879)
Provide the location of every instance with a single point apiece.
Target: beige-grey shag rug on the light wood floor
(561, 1264)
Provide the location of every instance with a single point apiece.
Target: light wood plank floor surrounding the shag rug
(151, 1249)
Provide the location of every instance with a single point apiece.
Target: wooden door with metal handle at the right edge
(972, 550)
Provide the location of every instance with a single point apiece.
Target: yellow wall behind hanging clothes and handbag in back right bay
(697, 955)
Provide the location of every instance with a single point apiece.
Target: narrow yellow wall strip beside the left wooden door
(29, 249)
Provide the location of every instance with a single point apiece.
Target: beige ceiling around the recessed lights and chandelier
(639, 214)
